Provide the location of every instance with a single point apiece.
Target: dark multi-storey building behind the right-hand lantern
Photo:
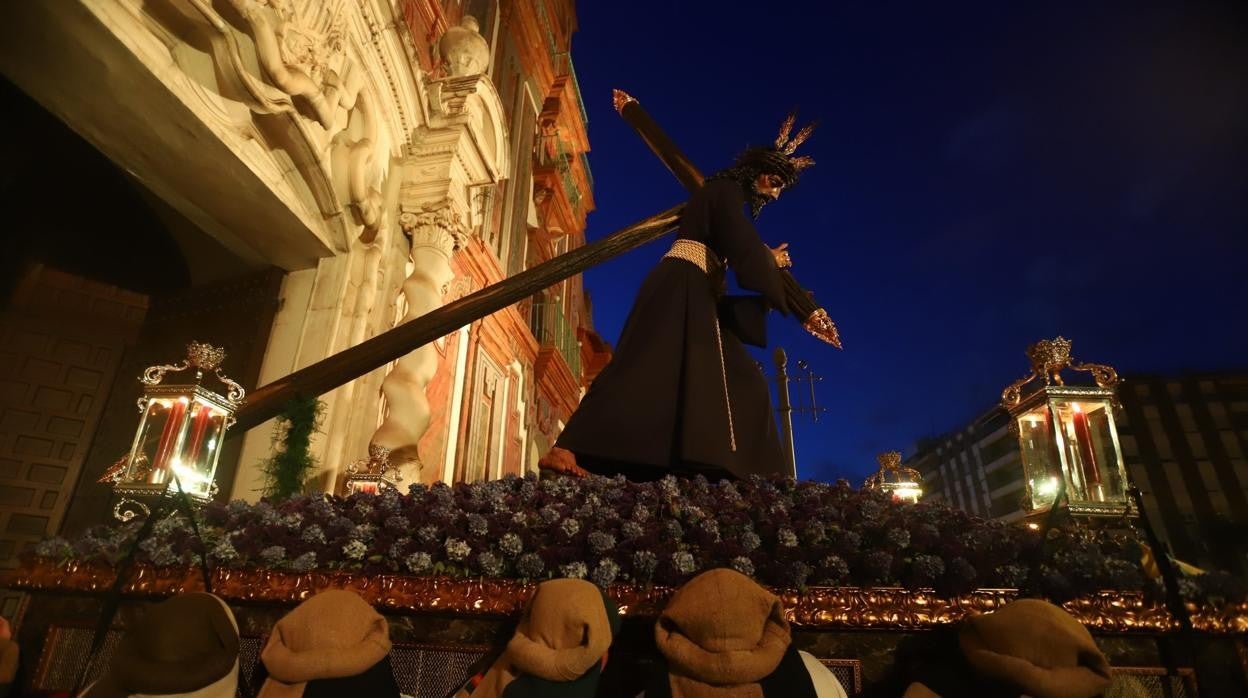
(1185, 441)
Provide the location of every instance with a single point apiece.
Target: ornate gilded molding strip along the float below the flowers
(816, 609)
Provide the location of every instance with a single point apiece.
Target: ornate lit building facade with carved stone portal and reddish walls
(286, 179)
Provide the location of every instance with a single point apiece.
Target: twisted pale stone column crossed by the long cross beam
(436, 232)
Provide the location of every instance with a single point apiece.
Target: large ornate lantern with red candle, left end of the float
(180, 435)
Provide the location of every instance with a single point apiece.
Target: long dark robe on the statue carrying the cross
(660, 405)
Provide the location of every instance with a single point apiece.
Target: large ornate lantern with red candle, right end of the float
(1068, 435)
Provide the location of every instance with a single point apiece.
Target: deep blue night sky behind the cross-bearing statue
(988, 177)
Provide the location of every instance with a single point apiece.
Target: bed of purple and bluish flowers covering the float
(782, 533)
